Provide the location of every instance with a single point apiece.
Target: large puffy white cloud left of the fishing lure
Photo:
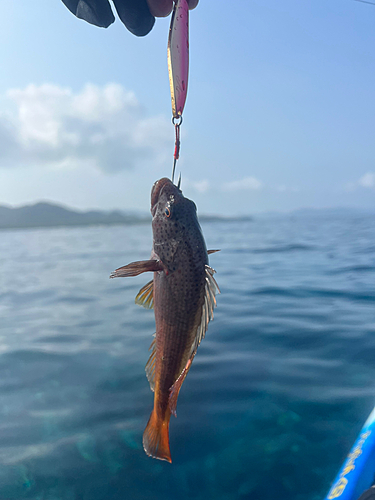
(105, 127)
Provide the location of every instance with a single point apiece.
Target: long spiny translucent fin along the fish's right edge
(211, 288)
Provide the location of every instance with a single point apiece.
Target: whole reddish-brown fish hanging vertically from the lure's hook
(182, 294)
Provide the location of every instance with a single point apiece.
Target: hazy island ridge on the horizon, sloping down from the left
(46, 214)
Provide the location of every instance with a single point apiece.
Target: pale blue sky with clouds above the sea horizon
(280, 113)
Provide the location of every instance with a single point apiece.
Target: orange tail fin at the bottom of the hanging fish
(156, 437)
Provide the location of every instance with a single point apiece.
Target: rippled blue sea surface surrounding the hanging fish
(277, 394)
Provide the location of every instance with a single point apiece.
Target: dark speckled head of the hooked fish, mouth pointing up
(174, 222)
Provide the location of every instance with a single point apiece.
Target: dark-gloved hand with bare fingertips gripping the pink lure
(137, 15)
